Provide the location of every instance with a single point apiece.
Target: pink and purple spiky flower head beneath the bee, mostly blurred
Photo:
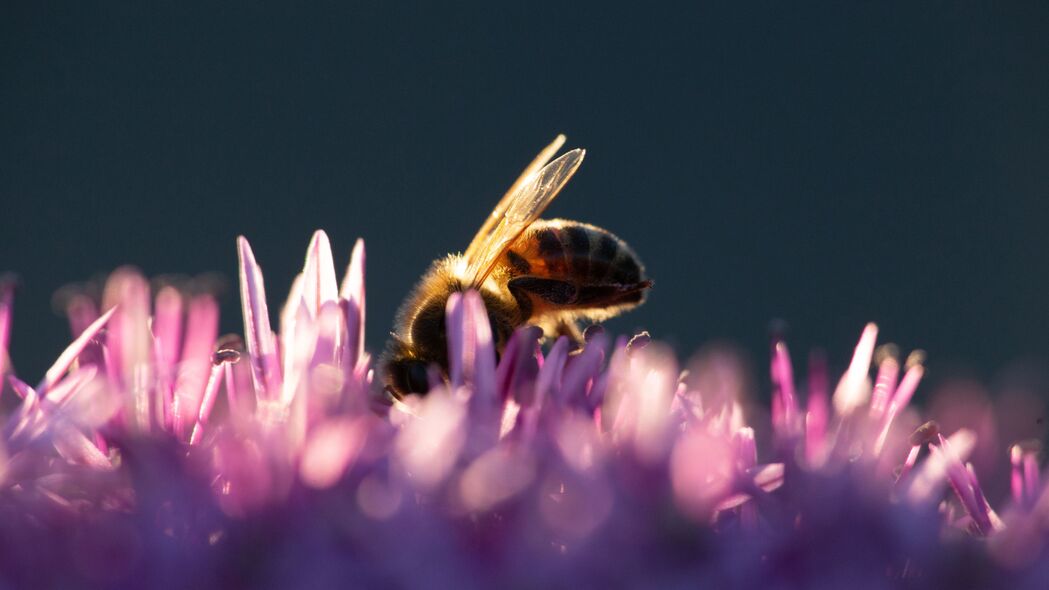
(156, 454)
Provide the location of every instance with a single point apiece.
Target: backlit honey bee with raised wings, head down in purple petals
(551, 273)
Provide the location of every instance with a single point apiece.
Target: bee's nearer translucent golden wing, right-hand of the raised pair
(523, 205)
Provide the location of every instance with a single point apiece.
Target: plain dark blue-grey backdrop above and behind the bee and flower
(825, 165)
